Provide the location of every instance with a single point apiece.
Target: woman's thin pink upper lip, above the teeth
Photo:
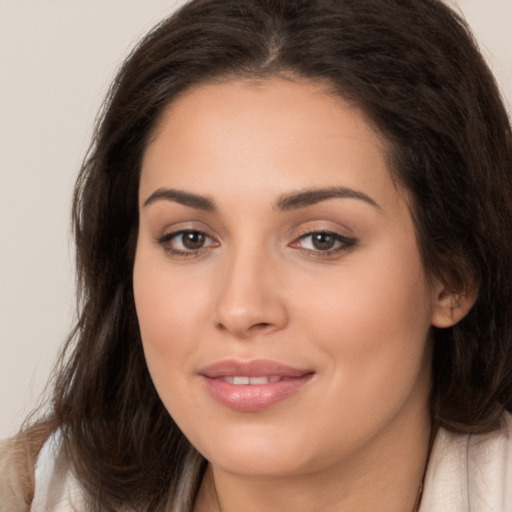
(254, 368)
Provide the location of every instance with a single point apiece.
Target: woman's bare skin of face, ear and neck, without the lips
(355, 436)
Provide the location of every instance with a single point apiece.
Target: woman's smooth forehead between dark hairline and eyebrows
(270, 135)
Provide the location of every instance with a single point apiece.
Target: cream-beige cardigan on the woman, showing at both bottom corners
(466, 473)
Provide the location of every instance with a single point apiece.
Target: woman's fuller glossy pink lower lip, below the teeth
(254, 397)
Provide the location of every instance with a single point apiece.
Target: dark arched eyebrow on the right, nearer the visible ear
(309, 197)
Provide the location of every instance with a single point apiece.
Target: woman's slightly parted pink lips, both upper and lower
(252, 386)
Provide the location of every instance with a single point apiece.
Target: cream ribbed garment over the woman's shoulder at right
(470, 472)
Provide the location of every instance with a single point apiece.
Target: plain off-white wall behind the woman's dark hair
(56, 60)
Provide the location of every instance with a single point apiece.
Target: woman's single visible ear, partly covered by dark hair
(450, 307)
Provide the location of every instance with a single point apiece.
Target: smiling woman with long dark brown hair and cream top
(294, 263)
